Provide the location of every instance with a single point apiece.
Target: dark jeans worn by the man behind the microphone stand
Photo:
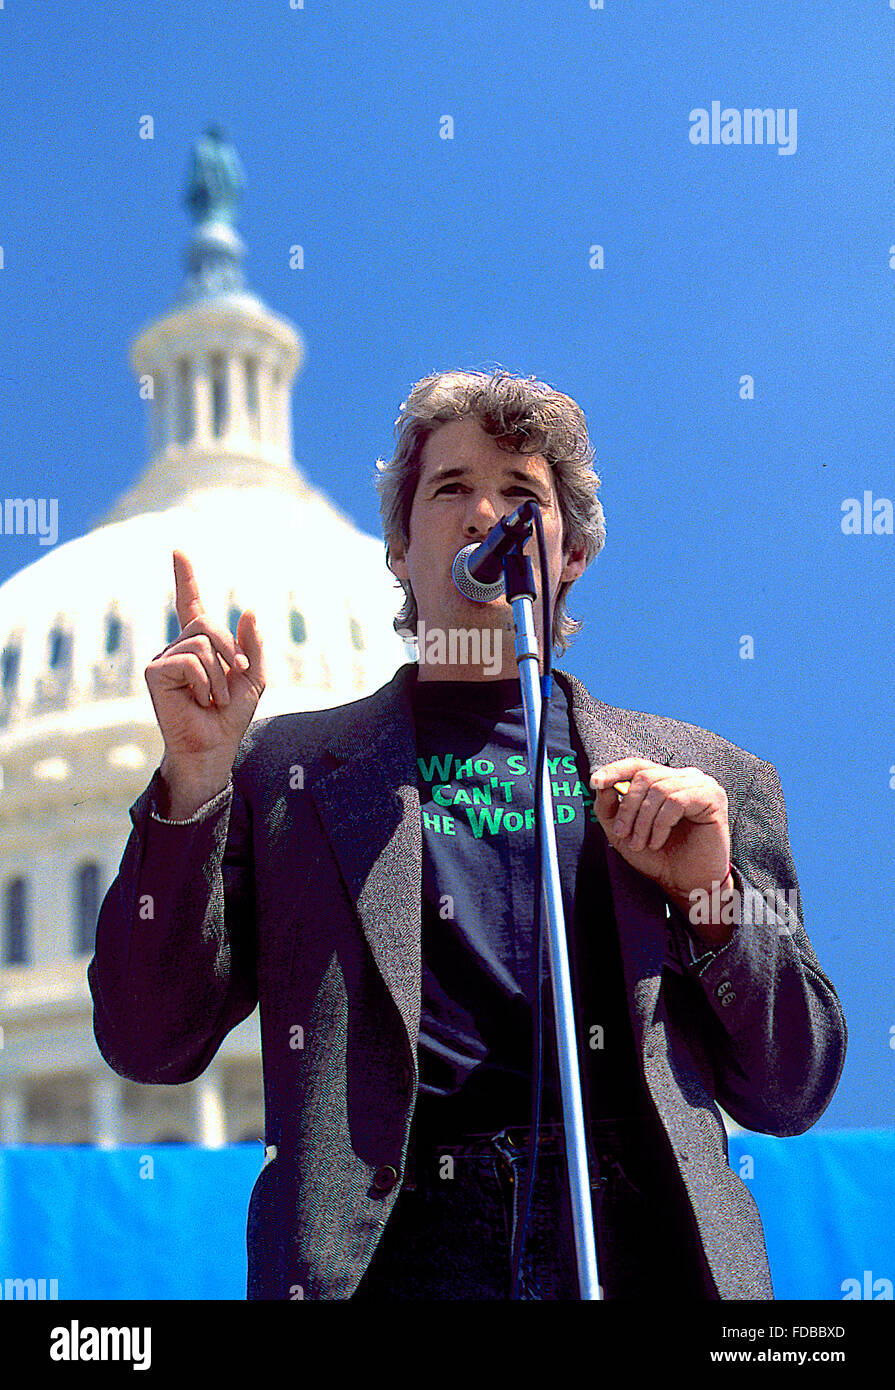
(452, 1229)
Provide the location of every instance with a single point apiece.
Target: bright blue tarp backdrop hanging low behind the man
(170, 1221)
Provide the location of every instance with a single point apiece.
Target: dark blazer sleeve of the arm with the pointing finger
(174, 967)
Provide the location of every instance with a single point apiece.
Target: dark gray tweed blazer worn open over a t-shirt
(299, 889)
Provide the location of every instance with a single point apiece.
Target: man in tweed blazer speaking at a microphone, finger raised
(380, 911)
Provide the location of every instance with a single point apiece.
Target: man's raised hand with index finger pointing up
(205, 690)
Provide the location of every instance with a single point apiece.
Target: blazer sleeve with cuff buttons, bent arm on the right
(776, 1027)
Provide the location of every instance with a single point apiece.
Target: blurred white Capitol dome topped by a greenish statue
(79, 733)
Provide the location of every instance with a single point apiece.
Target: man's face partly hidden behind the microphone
(468, 483)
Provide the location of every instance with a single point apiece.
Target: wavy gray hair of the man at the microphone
(523, 415)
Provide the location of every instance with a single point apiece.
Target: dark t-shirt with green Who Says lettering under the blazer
(479, 976)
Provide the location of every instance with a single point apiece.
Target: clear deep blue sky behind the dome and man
(572, 130)
